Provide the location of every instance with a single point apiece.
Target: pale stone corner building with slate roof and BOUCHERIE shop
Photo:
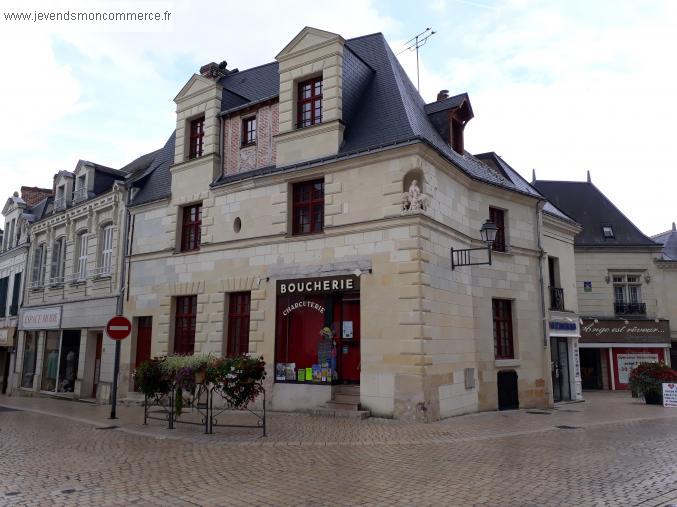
(305, 209)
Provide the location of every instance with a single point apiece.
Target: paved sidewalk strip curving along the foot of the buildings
(300, 429)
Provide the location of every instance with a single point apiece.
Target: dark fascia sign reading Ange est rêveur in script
(643, 331)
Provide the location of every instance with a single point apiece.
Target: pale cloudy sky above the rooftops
(560, 87)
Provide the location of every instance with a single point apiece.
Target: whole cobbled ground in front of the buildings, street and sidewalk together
(611, 450)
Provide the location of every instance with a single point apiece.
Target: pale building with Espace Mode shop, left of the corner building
(73, 284)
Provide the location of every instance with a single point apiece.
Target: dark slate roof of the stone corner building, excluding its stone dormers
(381, 108)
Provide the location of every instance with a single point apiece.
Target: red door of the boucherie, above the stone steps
(349, 341)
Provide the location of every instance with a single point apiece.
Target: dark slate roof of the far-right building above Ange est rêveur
(584, 202)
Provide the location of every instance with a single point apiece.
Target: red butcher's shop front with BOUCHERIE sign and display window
(317, 339)
